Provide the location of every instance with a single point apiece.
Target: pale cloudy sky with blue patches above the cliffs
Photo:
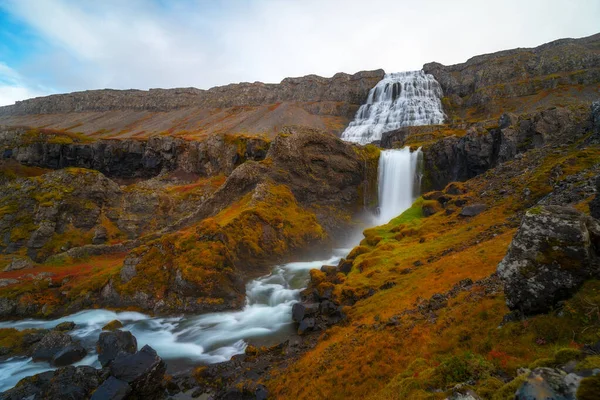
(59, 46)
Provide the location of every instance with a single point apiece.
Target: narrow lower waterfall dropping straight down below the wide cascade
(399, 182)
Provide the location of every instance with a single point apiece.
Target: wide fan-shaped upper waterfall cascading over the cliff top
(399, 99)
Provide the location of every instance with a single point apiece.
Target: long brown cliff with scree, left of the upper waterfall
(320, 103)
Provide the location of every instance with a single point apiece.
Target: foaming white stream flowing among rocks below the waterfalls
(186, 341)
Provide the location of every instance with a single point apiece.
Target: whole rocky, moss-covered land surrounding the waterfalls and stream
(170, 201)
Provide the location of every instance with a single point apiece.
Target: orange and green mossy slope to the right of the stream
(367, 358)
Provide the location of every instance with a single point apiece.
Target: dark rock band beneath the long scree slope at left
(134, 158)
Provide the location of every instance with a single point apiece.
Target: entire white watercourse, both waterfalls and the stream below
(185, 341)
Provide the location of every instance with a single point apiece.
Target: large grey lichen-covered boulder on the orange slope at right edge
(551, 256)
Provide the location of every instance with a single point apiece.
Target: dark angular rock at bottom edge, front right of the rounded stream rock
(143, 371)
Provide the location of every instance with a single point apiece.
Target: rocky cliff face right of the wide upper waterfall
(564, 72)
